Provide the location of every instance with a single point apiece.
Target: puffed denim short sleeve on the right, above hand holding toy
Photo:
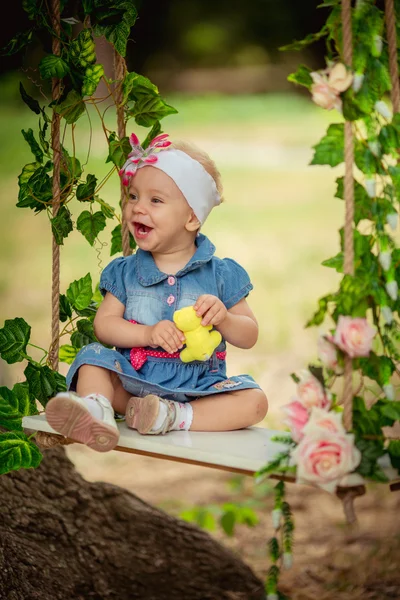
(233, 282)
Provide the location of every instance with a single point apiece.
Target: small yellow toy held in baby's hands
(199, 339)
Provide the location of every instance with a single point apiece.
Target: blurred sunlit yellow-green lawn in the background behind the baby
(279, 218)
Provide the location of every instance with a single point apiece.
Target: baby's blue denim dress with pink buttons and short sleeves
(151, 296)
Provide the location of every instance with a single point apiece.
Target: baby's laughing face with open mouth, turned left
(157, 214)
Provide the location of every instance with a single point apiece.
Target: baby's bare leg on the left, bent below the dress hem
(96, 380)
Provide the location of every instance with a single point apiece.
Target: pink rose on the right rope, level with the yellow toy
(354, 336)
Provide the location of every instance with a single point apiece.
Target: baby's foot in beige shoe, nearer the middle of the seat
(142, 413)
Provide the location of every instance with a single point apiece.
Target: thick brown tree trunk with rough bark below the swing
(62, 538)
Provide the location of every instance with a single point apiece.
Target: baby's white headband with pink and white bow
(198, 187)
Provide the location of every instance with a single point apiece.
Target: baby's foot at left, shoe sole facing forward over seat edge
(68, 414)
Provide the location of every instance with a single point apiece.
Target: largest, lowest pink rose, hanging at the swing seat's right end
(325, 458)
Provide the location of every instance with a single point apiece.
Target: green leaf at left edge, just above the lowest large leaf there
(15, 404)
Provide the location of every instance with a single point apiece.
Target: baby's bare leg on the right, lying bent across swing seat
(229, 411)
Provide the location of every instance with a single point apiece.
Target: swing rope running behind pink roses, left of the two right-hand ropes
(349, 214)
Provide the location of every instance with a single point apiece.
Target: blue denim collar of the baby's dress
(149, 274)
